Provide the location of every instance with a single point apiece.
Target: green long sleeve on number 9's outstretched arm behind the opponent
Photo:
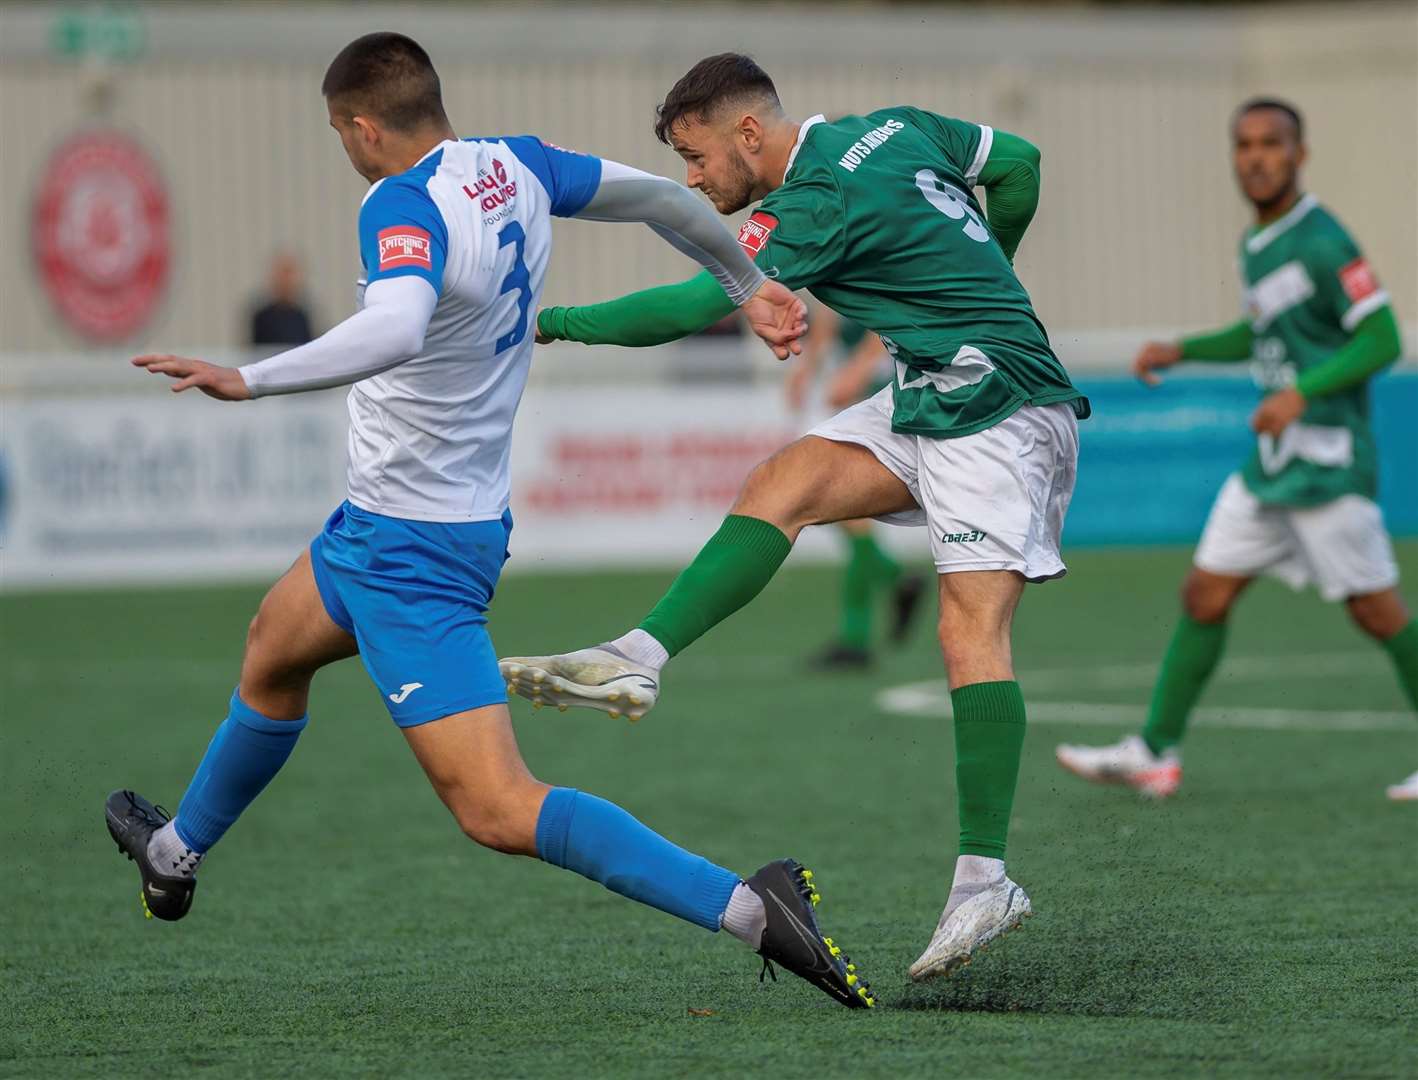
(639, 320)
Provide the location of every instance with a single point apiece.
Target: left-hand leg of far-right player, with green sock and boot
(1149, 762)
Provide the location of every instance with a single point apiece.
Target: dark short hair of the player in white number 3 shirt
(388, 77)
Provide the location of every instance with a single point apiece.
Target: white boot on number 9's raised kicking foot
(596, 678)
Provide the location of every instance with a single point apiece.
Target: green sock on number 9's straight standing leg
(989, 741)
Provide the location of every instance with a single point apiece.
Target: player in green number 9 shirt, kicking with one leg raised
(976, 439)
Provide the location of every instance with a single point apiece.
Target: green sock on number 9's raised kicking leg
(730, 572)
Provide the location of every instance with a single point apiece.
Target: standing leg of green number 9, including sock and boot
(976, 617)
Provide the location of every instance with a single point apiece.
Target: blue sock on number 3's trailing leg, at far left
(247, 750)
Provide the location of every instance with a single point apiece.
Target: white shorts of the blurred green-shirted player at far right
(1341, 546)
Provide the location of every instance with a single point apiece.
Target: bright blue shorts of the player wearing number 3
(415, 596)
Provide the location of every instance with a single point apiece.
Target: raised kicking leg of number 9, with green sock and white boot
(813, 481)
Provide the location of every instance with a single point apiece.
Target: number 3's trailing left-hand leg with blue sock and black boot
(289, 641)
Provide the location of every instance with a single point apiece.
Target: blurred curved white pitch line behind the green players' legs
(932, 699)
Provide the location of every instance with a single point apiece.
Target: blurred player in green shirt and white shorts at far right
(1318, 328)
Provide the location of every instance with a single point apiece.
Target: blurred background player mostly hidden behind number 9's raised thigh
(863, 371)
